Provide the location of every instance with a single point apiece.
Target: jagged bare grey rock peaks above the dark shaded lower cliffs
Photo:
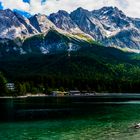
(108, 25)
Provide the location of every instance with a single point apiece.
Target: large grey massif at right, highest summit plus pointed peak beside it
(110, 26)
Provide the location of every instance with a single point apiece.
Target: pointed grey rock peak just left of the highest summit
(87, 23)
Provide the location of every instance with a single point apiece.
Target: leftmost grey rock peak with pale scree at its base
(12, 25)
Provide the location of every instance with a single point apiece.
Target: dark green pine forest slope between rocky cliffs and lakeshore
(95, 68)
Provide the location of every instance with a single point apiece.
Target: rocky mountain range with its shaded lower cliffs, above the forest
(62, 31)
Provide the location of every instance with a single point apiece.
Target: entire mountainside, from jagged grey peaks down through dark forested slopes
(77, 50)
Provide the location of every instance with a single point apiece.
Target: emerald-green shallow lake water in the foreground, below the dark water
(104, 122)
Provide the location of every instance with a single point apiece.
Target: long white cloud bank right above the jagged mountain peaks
(130, 7)
